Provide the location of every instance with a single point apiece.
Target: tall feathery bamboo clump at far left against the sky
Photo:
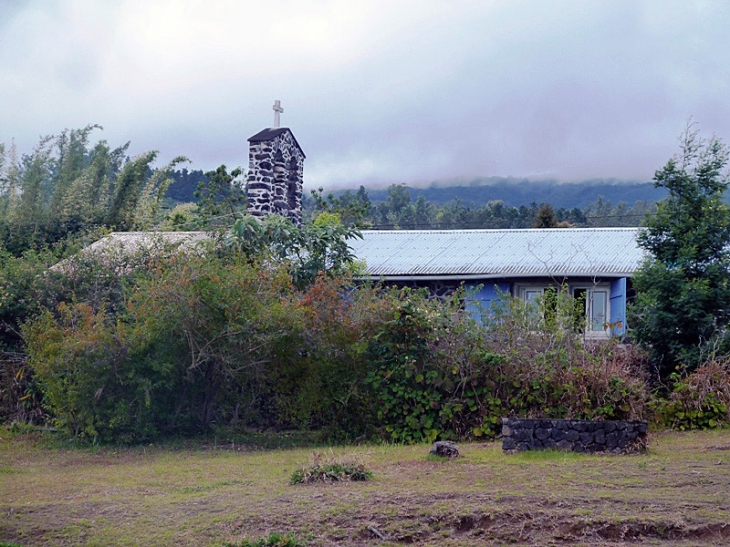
(66, 185)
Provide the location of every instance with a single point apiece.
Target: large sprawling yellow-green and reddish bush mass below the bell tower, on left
(203, 339)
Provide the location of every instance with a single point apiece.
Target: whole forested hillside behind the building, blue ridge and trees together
(481, 203)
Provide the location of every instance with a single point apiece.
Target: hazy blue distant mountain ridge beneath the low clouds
(517, 192)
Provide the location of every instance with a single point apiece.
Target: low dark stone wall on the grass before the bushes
(573, 435)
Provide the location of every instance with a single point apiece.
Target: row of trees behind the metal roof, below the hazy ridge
(399, 212)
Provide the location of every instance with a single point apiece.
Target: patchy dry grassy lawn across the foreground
(676, 494)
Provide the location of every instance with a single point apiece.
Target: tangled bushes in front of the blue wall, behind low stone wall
(439, 374)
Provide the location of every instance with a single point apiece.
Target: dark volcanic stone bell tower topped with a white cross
(275, 172)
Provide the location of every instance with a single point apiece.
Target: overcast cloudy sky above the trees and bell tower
(376, 91)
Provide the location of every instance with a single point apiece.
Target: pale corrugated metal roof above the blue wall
(607, 252)
